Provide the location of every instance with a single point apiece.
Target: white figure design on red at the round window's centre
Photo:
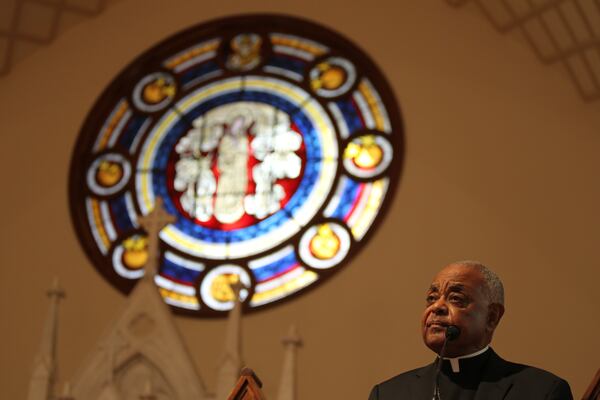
(224, 132)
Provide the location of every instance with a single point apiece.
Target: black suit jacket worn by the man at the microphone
(501, 380)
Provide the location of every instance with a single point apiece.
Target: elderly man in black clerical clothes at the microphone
(469, 298)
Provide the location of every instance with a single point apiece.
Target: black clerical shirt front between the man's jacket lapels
(462, 384)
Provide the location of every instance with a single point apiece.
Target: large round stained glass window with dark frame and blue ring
(275, 142)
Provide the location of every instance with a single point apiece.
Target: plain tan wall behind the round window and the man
(501, 165)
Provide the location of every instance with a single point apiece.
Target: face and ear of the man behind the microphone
(459, 296)
